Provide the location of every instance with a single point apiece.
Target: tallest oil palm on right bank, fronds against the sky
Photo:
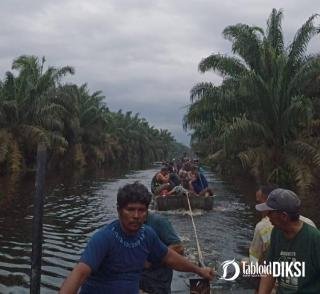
(260, 111)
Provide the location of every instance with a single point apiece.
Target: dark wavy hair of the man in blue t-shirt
(133, 193)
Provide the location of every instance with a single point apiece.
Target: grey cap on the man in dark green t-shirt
(281, 199)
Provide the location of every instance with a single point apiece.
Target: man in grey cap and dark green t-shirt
(292, 240)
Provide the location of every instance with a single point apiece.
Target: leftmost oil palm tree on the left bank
(29, 112)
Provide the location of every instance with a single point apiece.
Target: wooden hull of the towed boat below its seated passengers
(178, 201)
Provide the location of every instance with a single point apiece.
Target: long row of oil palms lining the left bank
(76, 126)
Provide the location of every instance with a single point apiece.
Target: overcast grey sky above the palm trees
(142, 54)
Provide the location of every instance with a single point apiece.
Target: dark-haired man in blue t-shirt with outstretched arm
(114, 258)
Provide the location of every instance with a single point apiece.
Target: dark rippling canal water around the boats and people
(76, 206)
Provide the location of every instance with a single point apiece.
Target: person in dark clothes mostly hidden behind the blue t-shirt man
(156, 278)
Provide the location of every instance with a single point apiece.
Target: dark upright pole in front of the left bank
(37, 220)
